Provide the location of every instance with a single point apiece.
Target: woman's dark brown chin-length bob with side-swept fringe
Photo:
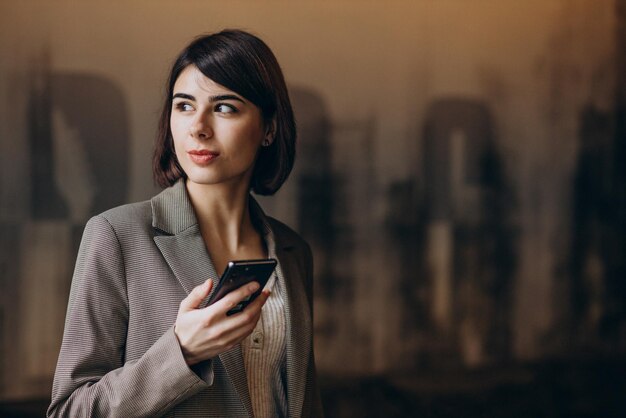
(243, 63)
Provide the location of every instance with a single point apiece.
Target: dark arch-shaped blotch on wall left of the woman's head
(82, 100)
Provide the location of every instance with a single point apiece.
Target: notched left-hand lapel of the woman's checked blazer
(180, 241)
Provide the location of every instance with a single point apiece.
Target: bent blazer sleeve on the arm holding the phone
(92, 378)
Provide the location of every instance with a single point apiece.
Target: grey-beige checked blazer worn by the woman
(120, 356)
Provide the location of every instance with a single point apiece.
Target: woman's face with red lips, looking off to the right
(217, 133)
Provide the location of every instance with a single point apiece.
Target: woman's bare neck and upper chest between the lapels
(223, 214)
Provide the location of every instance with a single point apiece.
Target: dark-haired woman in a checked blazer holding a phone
(139, 339)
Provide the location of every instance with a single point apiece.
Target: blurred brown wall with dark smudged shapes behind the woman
(460, 178)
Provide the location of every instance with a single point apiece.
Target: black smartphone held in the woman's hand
(240, 272)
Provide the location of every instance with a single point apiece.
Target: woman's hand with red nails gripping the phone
(205, 333)
